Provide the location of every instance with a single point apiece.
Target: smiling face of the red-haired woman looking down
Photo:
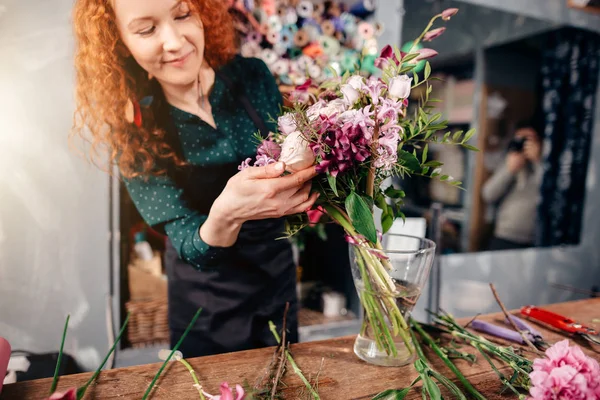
(163, 36)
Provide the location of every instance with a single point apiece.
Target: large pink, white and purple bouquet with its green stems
(358, 132)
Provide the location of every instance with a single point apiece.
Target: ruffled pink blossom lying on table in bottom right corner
(565, 374)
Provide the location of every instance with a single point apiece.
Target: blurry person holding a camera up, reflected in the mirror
(514, 189)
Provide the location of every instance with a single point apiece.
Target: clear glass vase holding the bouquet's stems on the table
(389, 280)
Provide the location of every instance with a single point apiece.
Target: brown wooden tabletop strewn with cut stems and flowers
(342, 376)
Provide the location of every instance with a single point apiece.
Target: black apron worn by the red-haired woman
(247, 286)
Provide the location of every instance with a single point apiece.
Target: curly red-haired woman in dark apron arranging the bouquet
(159, 85)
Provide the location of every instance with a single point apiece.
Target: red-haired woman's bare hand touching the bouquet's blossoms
(257, 193)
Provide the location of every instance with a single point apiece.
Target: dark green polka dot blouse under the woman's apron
(160, 201)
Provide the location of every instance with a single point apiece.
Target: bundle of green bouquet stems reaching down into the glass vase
(378, 291)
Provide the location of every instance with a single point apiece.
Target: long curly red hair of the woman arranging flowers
(107, 78)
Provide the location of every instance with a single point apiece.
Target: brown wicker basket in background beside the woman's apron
(148, 325)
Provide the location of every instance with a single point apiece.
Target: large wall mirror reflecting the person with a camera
(528, 87)
